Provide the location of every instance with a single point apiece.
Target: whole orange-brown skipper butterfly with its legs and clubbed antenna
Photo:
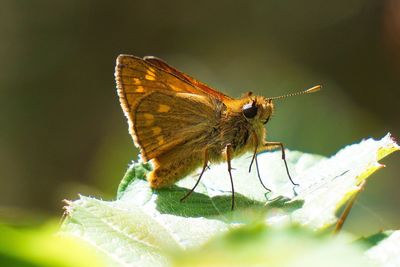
(181, 124)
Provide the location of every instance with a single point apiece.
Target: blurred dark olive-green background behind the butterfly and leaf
(63, 132)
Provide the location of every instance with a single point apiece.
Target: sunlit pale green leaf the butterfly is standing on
(142, 225)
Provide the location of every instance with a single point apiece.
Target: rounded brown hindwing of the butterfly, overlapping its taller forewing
(163, 120)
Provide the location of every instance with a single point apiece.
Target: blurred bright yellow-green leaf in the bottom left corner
(42, 247)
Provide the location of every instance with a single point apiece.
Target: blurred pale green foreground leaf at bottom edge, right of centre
(258, 245)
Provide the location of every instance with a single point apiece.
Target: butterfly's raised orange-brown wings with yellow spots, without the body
(163, 110)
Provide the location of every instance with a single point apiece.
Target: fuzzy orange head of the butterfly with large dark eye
(258, 109)
